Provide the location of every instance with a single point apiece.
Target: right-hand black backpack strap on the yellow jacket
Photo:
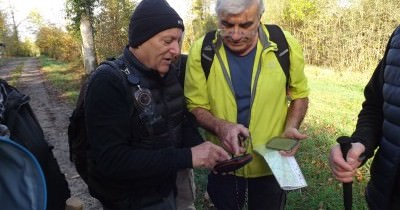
(277, 36)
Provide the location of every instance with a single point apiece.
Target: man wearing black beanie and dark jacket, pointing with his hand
(139, 132)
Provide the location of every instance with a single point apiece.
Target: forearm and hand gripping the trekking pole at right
(367, 133)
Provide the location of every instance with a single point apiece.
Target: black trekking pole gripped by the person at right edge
(345, 145)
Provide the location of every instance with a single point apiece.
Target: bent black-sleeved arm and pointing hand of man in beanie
(109, 134)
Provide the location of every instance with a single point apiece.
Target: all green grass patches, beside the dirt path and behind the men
(335, 100)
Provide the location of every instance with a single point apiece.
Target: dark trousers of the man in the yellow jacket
(228, 192)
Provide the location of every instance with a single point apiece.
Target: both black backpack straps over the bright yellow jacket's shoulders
(276, 35)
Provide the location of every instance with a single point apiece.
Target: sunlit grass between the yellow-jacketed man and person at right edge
(335, 101)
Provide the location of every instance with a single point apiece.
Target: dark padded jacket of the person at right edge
(378, 126)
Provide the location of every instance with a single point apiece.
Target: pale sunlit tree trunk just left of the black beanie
(88, 49)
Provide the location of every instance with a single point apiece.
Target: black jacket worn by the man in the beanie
(129, 161)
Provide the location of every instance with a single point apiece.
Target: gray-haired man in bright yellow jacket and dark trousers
(245, 94)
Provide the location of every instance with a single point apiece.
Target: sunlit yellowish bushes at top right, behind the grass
(347, 36)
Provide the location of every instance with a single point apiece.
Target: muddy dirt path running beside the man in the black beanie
(53, 115)
